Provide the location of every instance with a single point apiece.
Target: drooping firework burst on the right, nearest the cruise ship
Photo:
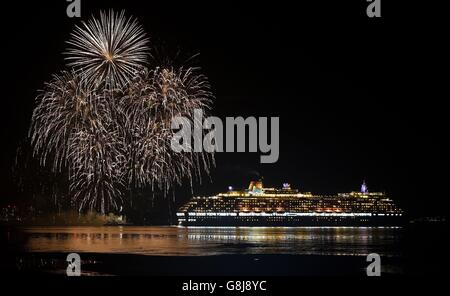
(154, 98)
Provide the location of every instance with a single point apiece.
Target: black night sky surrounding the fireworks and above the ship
(357, 98)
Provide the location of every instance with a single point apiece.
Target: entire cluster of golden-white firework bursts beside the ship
(108, 120)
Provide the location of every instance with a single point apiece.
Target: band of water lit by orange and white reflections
(207, 241)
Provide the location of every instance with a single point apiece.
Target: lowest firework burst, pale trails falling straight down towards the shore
(97, 160)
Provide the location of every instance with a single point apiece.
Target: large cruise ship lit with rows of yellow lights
(259, 206)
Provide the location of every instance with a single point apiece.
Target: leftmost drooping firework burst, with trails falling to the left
(62, 107)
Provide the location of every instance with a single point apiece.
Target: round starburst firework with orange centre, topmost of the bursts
(108, 50)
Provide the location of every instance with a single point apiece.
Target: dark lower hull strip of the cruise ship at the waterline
(293, 221)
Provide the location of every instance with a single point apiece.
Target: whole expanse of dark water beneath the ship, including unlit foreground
(292, 251)
